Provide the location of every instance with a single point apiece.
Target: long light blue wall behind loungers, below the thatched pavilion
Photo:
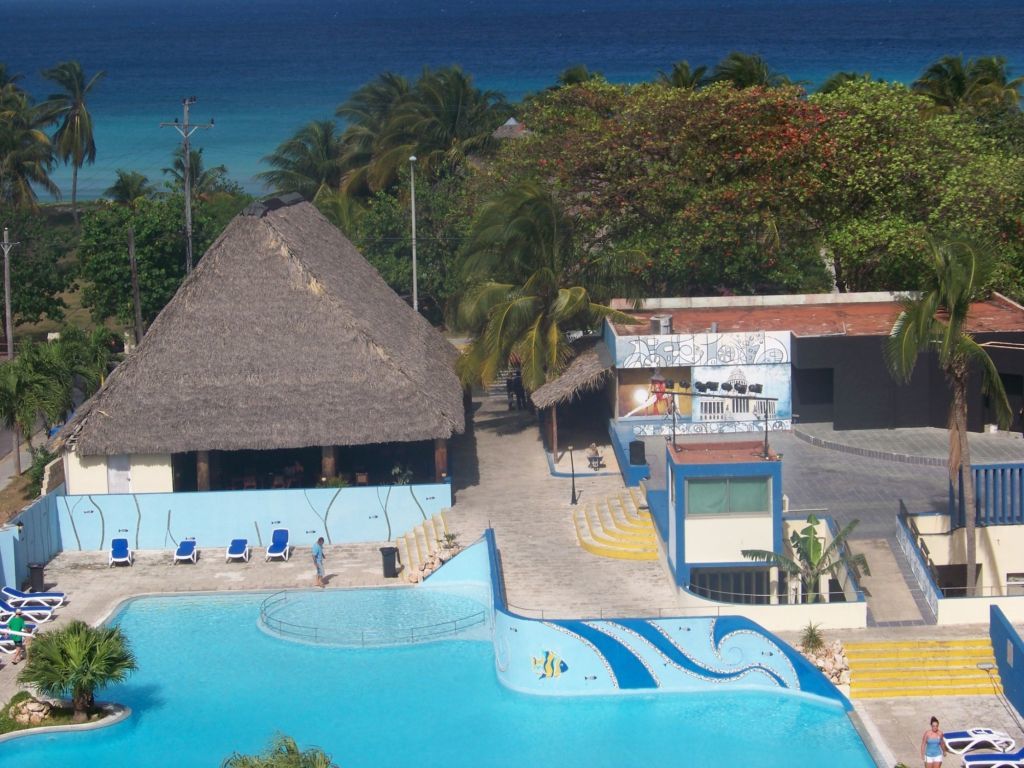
(161, 521)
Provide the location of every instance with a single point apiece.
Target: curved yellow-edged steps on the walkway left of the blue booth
(618, 527)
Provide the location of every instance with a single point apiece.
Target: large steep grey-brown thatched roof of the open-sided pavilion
(284, 336)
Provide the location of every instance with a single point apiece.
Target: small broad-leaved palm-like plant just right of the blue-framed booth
(813, 561)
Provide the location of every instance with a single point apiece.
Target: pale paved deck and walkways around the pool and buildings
(503, 482)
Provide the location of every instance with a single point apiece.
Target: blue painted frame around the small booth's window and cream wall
(684, 473)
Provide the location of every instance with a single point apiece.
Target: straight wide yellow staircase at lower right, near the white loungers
(938, 668)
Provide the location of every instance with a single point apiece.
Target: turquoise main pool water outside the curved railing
(210, 682)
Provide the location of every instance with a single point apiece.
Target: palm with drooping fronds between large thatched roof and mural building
(523, 268)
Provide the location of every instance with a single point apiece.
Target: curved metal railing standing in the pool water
(362, 637)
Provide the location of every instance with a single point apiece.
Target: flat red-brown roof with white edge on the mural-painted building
(816, 315)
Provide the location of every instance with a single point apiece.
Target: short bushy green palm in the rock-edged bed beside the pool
(76, 661)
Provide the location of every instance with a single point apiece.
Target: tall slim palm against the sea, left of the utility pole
(73, 141)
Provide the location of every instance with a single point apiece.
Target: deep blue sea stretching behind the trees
(264, 68)
